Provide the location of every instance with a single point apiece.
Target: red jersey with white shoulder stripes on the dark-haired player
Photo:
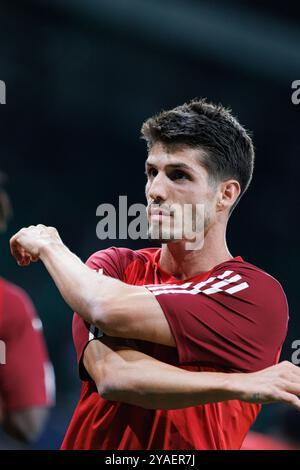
(232, 318)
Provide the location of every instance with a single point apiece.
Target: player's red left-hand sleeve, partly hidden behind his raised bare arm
(110, 263)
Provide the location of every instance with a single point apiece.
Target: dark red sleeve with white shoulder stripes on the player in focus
(236, 321)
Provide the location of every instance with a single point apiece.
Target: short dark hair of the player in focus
(227, 145)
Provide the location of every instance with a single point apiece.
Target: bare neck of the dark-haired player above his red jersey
(184, 264)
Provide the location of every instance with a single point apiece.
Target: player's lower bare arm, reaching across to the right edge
(123, 374)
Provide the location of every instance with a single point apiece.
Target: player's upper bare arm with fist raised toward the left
(115, 307)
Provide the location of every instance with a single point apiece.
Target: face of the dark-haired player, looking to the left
(181, 202)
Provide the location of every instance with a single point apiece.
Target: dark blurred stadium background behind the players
(82, 75)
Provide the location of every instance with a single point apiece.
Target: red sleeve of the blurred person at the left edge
(26, 377)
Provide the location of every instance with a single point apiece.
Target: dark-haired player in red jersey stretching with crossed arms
(177, 347)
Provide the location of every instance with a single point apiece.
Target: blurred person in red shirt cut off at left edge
(27, 383)
